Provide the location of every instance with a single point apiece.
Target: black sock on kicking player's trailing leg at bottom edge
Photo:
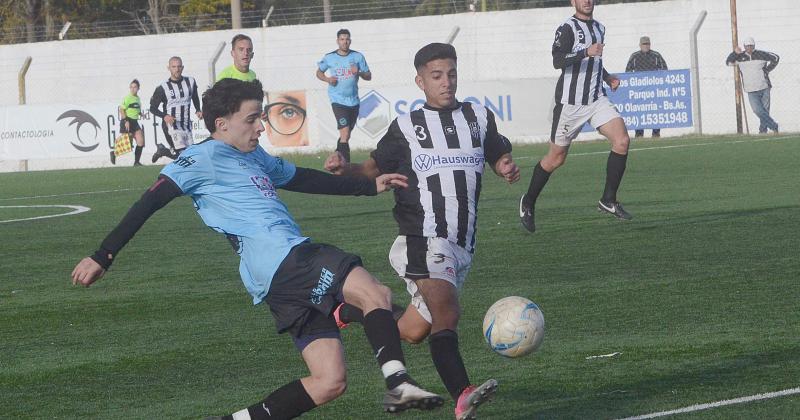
(286, 402)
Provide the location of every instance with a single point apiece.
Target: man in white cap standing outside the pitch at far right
(754, 66)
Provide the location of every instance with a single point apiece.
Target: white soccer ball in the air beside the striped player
(513, 326)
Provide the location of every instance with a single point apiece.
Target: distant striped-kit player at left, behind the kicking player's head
(172, 101)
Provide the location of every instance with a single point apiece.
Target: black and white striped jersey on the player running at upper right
(581, 81)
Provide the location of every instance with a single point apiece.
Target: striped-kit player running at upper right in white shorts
(581, 98)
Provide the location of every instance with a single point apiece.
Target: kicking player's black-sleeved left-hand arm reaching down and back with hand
(92, 268)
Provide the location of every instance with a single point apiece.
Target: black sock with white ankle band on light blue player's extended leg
(384, 337)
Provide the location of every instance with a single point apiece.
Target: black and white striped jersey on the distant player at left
(175, 98)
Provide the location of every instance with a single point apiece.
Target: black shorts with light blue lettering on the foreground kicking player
(307, 287)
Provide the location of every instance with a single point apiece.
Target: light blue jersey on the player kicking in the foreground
(235, 194)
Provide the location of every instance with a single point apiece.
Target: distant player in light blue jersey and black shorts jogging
(341, 70)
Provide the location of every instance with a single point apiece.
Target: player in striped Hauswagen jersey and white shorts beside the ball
(442, 148)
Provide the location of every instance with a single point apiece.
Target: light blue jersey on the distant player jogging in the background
(341, 67)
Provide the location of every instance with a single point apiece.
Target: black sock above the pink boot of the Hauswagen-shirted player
(448, 362)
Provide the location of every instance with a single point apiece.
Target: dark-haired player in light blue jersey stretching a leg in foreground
(233, 183)
